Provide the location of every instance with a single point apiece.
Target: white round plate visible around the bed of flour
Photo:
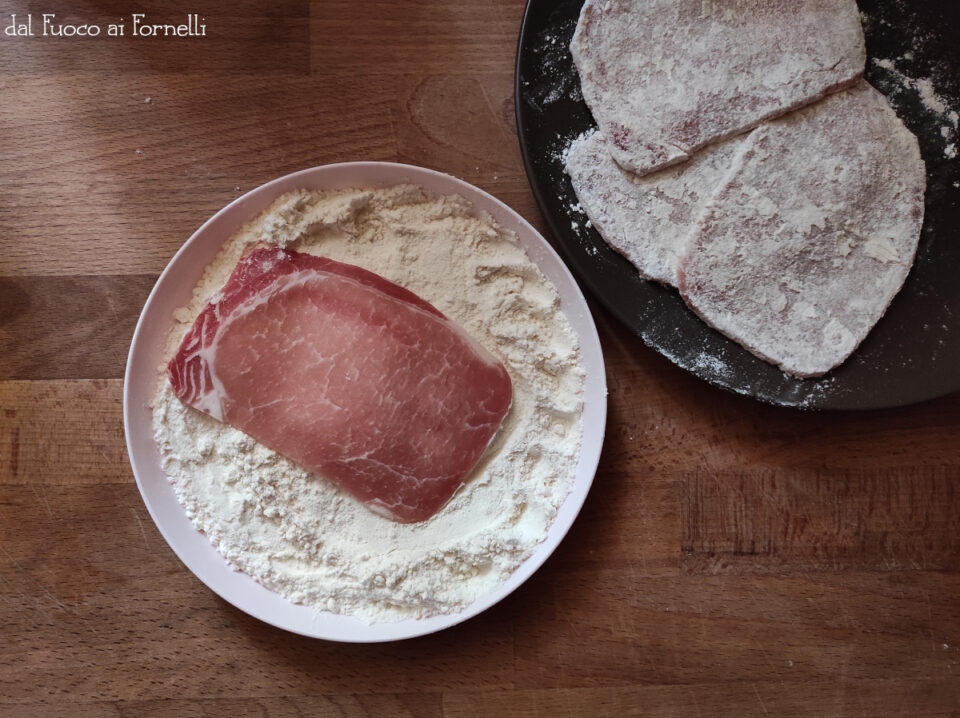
(174, 289)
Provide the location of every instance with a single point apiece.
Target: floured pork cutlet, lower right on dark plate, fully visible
(811, 234)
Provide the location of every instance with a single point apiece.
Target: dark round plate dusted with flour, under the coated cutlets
(912, 354)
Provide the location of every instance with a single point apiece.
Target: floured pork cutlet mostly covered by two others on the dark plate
(647, 219)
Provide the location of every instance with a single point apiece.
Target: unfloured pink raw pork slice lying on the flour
(348, 375)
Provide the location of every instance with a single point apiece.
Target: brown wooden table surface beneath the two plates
(732, 559)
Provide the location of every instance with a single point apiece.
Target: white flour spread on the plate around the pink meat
(299, 535)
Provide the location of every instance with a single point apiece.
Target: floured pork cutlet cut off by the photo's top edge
(667, 77)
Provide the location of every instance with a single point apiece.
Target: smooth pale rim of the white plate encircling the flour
(350, 629)
